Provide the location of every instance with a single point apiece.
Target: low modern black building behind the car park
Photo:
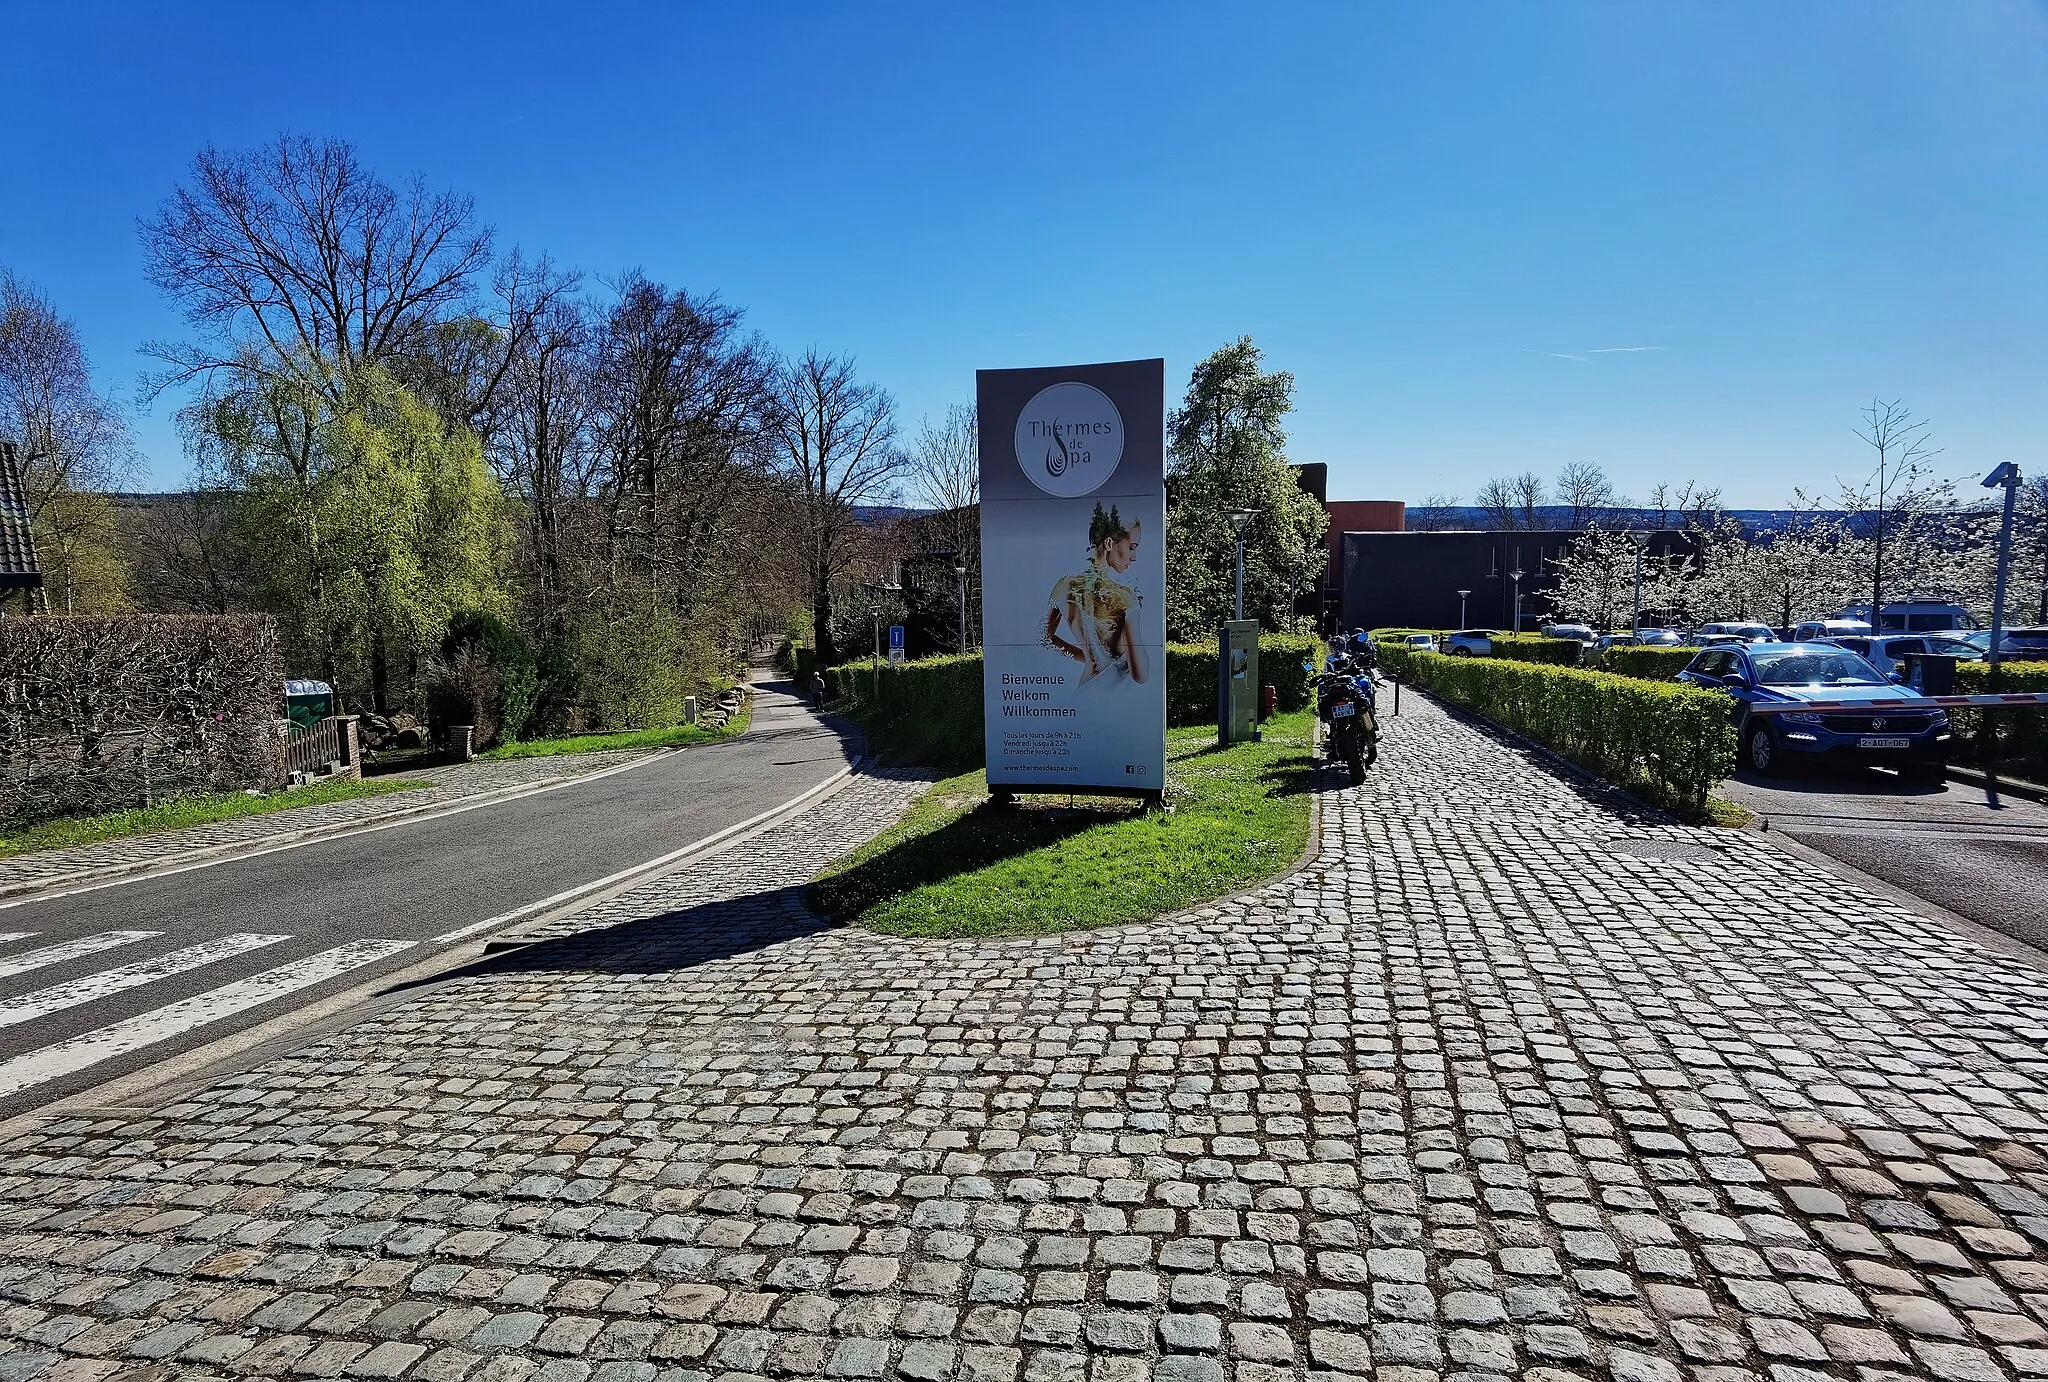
(1414, 578)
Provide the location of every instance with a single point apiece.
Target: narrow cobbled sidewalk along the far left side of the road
(450, 783)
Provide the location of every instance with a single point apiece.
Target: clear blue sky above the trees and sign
(1680, 241)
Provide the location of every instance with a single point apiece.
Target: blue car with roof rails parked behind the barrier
(1908, 738)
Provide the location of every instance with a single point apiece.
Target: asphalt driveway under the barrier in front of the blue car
(1943, 843)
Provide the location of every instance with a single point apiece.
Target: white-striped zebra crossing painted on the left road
(99, 1039)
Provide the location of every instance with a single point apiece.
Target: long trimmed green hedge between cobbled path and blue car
(1668, 744)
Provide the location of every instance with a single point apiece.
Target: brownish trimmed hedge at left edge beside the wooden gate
(126, 711)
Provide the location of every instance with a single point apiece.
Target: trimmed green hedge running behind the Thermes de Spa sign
(929, 711)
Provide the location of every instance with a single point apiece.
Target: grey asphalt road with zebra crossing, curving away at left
(103, 982)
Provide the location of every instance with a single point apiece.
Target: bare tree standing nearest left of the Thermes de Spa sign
(839, 449)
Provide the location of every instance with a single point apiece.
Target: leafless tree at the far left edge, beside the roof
(75, 447)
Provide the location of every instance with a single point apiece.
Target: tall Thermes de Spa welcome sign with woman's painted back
(1074, 576)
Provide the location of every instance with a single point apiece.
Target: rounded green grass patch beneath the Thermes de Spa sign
(955, 867)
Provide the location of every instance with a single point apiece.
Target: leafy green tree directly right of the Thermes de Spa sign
(1230, 454)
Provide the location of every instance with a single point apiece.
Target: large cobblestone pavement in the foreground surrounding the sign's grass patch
(1514, 1080)
